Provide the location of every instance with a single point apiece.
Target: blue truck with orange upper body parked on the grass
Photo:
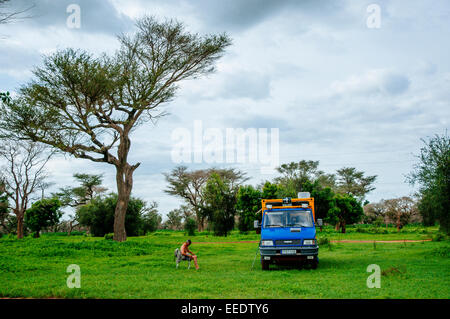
(288, 232)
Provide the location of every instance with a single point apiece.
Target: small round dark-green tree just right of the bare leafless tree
(42, 214)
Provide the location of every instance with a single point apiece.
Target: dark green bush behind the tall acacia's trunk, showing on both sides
(98, 215)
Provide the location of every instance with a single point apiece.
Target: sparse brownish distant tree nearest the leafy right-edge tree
(400, 210)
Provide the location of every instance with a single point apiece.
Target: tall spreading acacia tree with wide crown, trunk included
(88, 106)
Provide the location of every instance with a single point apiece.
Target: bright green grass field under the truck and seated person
(143, 267)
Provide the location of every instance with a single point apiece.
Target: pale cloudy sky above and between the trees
(339, 91)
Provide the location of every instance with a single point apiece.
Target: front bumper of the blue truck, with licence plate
(275, 253)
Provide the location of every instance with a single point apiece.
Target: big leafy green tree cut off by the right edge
(432, 174)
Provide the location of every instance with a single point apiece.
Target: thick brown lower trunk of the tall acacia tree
(124, 178)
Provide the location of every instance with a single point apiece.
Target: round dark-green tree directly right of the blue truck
(346, 210)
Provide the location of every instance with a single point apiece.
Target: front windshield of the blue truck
(288, 219)
